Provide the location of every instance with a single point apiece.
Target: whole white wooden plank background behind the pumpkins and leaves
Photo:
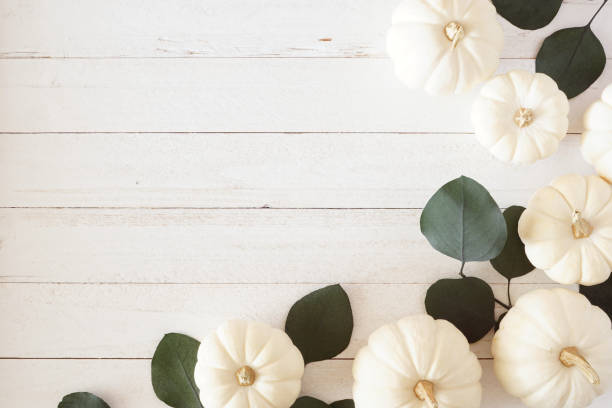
(167, 165)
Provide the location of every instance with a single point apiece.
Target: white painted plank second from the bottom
(47, 320)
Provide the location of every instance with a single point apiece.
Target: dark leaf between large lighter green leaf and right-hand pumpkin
(513, 262)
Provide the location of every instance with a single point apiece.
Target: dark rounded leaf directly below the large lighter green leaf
(468, 303)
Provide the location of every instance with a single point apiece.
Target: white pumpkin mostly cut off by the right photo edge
(597, 137)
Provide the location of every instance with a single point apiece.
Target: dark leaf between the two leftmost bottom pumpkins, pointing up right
(321, 323)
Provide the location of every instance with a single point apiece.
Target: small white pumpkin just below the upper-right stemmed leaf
(521, 117)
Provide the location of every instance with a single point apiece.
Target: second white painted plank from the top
(231, 95)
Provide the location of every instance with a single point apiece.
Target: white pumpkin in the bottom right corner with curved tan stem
(554, 350)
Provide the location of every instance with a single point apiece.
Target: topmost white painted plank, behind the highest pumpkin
(232, 28)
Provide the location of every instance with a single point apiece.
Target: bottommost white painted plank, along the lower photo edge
(126, 383)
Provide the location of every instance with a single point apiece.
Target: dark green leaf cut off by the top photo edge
(528, 14)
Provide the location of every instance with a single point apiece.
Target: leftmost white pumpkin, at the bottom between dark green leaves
(248, 365)
